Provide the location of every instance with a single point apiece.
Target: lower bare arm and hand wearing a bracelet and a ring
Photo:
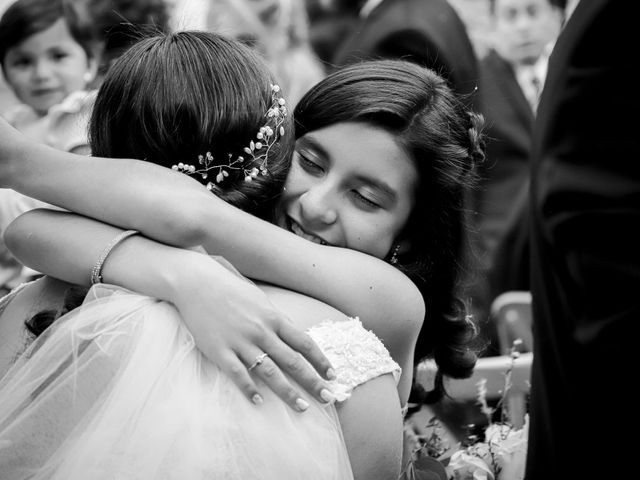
(64, 244)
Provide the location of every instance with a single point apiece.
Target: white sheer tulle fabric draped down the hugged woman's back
(117, 390)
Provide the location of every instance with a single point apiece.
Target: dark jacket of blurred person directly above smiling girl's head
(428, 32)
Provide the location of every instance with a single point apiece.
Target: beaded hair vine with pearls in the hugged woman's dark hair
(257, 151)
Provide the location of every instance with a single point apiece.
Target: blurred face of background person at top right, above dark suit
(524, 28)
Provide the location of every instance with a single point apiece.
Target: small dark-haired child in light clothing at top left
(48, 60)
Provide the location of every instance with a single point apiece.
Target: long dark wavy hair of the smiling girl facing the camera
(433, 126)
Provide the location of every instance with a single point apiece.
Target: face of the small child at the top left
(47, 66)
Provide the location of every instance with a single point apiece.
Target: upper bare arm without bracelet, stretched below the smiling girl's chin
(135, 194)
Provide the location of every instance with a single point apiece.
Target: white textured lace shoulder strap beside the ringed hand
(356, 354)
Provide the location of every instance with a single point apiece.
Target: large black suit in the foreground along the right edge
(586, 250)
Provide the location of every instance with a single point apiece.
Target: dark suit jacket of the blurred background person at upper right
(502, 198)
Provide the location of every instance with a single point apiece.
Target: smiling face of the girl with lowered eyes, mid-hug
(350, 185)
